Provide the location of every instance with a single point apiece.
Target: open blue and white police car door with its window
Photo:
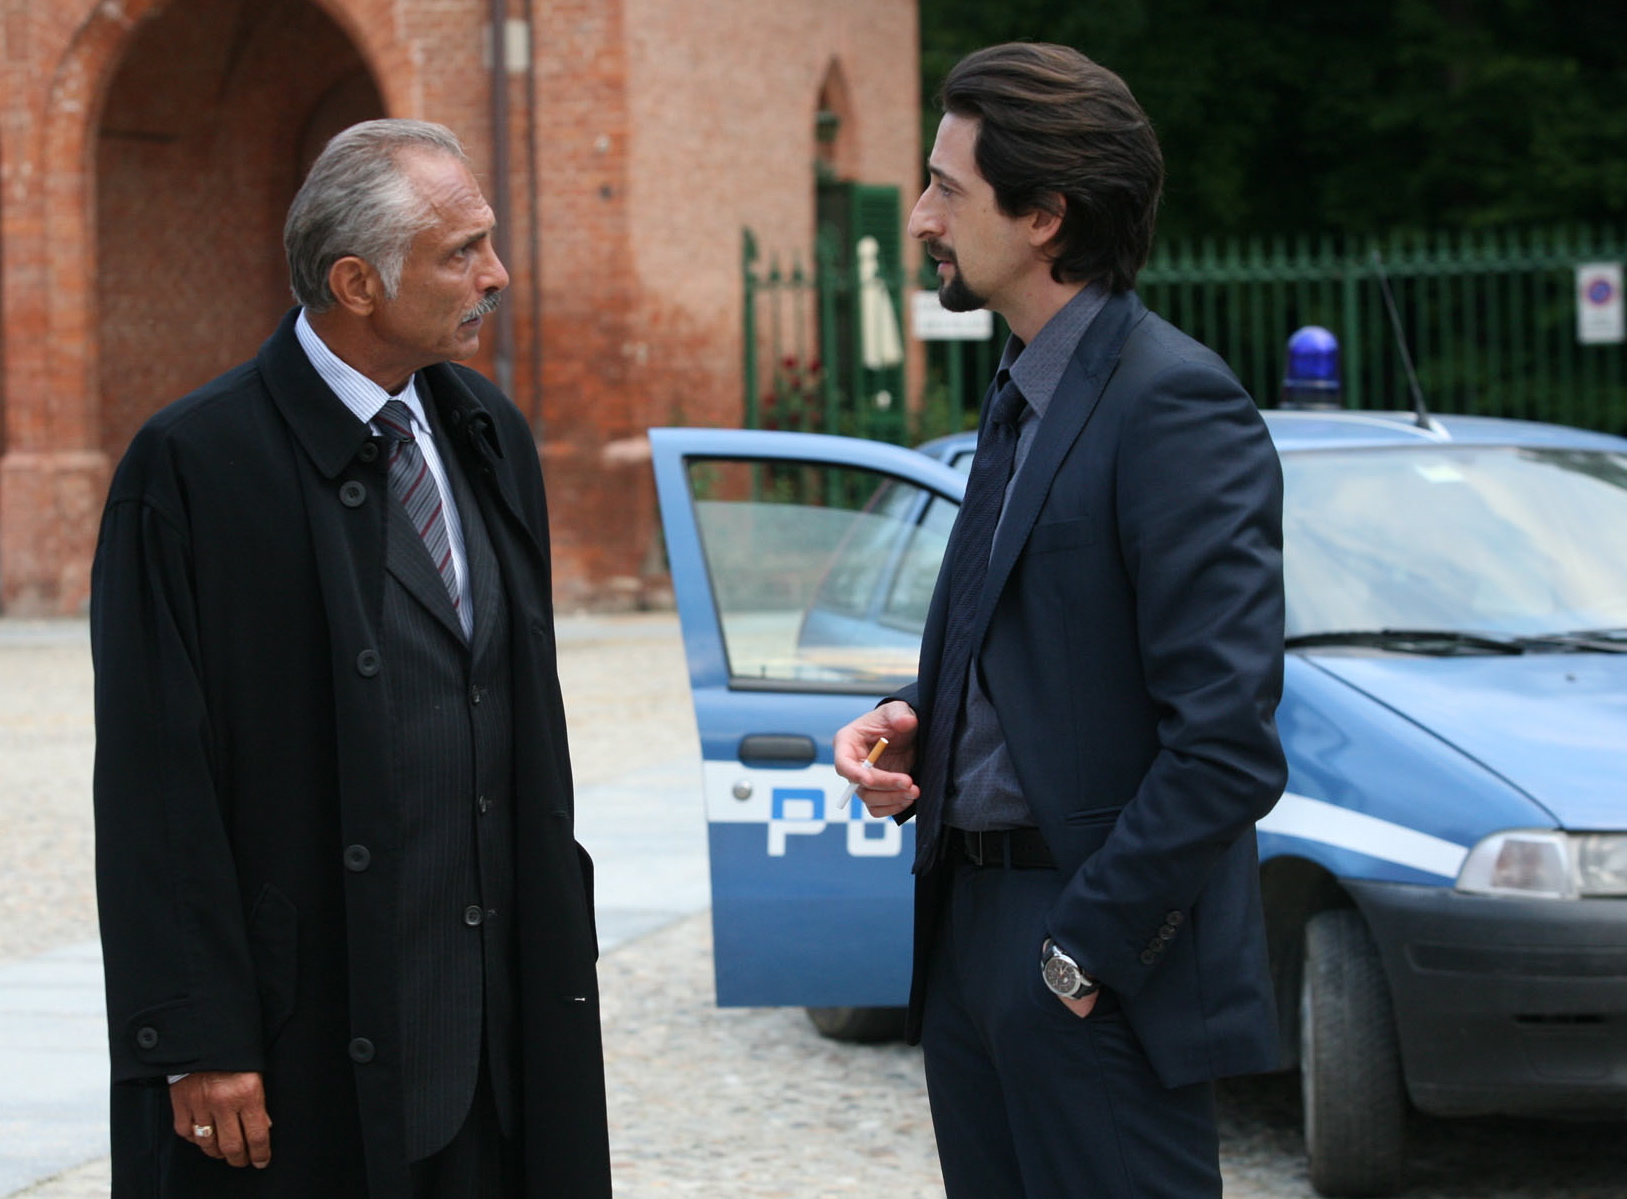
(803, 567)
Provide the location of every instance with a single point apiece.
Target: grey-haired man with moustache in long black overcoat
(347, 930)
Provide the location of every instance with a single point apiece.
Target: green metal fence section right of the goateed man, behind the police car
(1491, 316)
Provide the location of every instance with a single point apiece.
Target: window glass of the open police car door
(822, 575)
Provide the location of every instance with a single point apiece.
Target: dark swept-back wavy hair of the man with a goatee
(1062, 134)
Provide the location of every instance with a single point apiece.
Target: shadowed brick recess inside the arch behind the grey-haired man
(209, 123)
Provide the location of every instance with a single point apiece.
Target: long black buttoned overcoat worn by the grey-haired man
(250, 845)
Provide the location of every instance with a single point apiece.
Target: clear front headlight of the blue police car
(1546, 865)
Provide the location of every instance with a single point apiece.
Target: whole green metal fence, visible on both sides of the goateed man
(1490, 316)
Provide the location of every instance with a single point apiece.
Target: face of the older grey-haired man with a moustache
(451, 279)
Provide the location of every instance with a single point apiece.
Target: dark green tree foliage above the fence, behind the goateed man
(1350, 118)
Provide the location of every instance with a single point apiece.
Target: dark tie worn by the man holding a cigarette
(972, 541)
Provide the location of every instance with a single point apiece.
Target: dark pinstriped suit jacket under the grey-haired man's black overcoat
(453, 736)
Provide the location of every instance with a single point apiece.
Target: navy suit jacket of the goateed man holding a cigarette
(1133, 648)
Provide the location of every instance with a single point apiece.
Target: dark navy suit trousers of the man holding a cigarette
(1031, 1102)
